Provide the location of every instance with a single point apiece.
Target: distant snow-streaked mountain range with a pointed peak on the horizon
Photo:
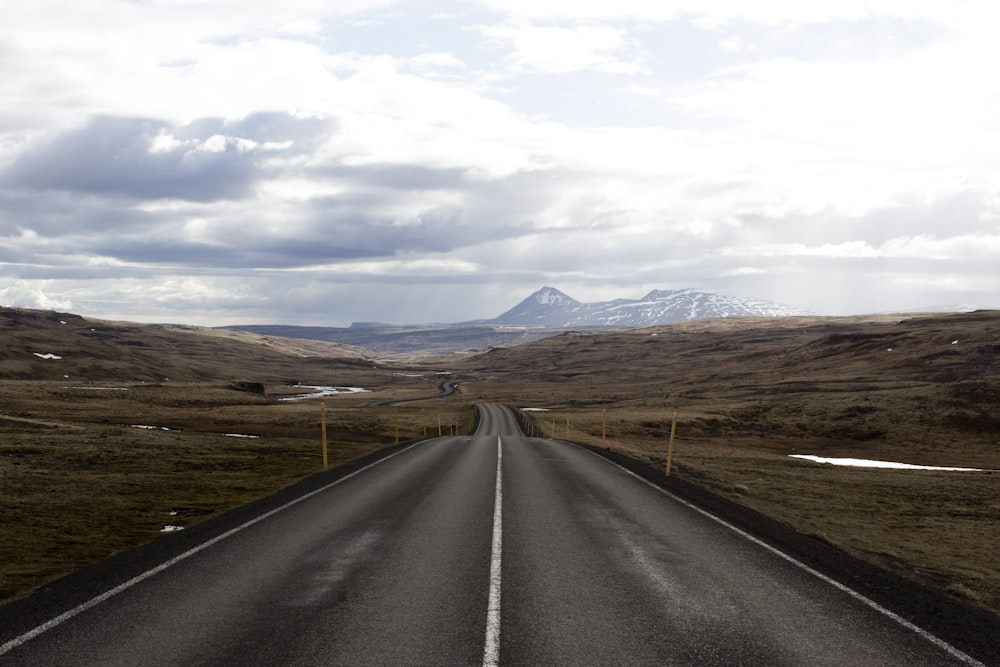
(550, 307)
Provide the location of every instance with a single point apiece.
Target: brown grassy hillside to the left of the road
(118, 430)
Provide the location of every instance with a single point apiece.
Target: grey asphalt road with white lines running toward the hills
(489, 549)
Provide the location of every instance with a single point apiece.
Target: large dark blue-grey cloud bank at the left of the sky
(384, 211)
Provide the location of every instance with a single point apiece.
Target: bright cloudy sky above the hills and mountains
(318, 162)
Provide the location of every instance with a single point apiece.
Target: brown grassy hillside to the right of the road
(748, 393)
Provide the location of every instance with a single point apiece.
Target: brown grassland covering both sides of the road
(81, 481)
